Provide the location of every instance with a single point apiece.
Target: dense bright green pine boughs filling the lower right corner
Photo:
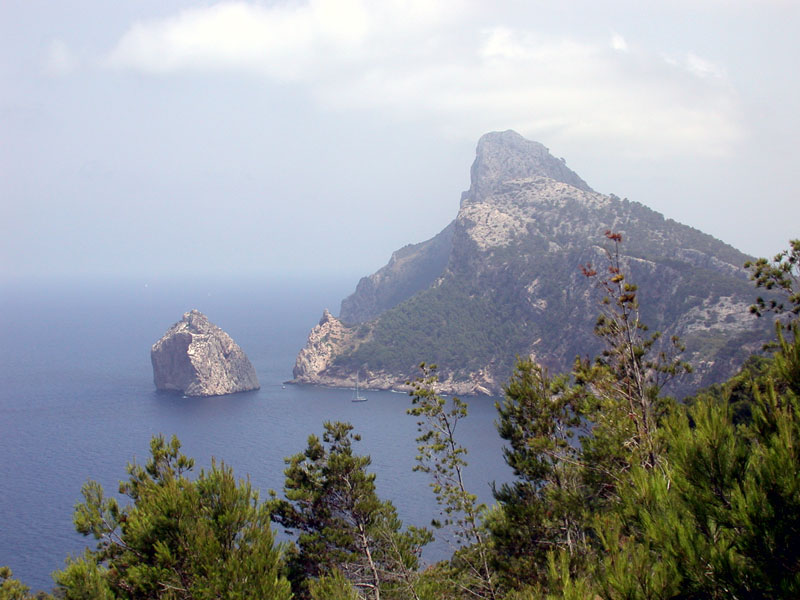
(722, 519)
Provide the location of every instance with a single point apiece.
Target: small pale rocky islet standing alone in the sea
(199, 359)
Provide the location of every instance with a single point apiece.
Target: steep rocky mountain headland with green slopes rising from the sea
(511, 284)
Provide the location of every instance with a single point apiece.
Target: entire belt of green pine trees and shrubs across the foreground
(618, 490)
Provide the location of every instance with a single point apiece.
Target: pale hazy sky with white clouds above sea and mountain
(153, 138)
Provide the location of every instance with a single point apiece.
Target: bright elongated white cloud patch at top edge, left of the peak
(294, 41)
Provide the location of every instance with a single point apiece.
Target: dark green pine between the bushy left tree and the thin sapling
(343, 528)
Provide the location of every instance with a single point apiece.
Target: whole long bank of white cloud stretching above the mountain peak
(449, 64)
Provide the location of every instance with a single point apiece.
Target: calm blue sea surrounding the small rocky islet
(77, 402)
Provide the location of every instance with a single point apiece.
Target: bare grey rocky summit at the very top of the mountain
(505, 155)
